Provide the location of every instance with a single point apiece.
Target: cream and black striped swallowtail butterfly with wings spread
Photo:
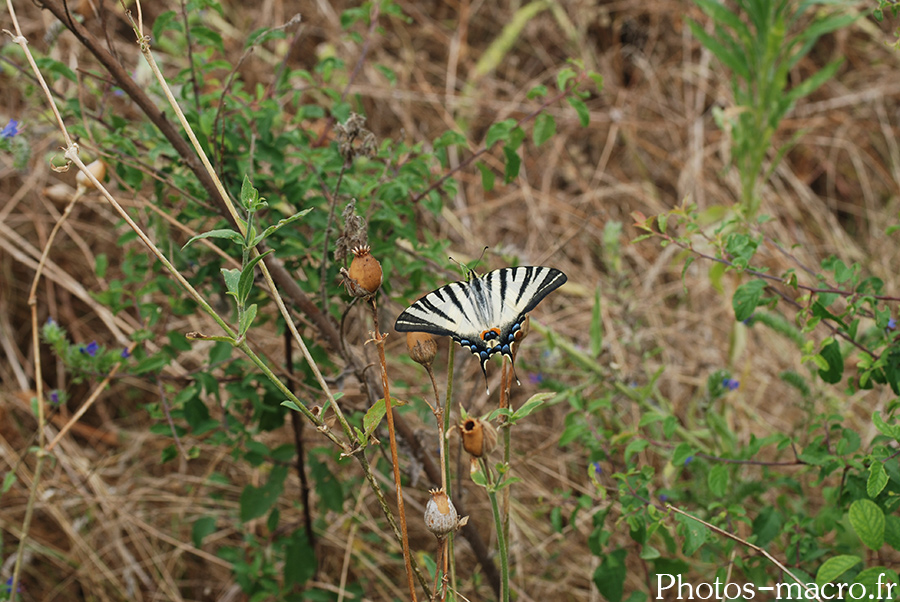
(483, 313)
